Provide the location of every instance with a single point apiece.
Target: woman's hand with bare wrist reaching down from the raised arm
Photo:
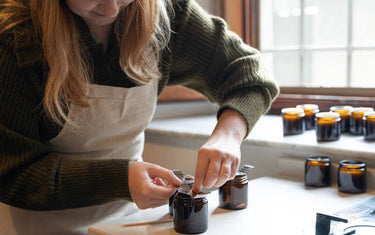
(220, 156)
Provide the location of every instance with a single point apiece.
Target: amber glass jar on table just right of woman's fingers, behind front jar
(233, 194)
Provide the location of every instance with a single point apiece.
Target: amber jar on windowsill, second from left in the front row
(328, 126)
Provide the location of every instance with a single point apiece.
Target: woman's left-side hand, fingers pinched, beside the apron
(151, 185)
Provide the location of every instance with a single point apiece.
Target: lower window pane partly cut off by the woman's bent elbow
(285, 67)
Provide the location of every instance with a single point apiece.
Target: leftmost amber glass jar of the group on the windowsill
(293, 121)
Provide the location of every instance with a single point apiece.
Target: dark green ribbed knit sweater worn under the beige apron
(202, 55)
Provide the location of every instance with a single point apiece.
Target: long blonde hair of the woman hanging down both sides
(144, 26)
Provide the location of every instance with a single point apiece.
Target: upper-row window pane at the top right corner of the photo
(363, 18)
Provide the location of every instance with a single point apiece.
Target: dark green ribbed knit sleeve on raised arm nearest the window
(214, 61)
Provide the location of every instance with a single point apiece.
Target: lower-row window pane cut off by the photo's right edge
(363, 69)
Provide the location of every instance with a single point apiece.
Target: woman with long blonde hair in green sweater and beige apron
(79, 81)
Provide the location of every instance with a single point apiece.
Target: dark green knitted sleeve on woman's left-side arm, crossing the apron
(31, 177)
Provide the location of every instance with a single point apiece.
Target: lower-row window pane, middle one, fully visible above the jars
(326, 69)
